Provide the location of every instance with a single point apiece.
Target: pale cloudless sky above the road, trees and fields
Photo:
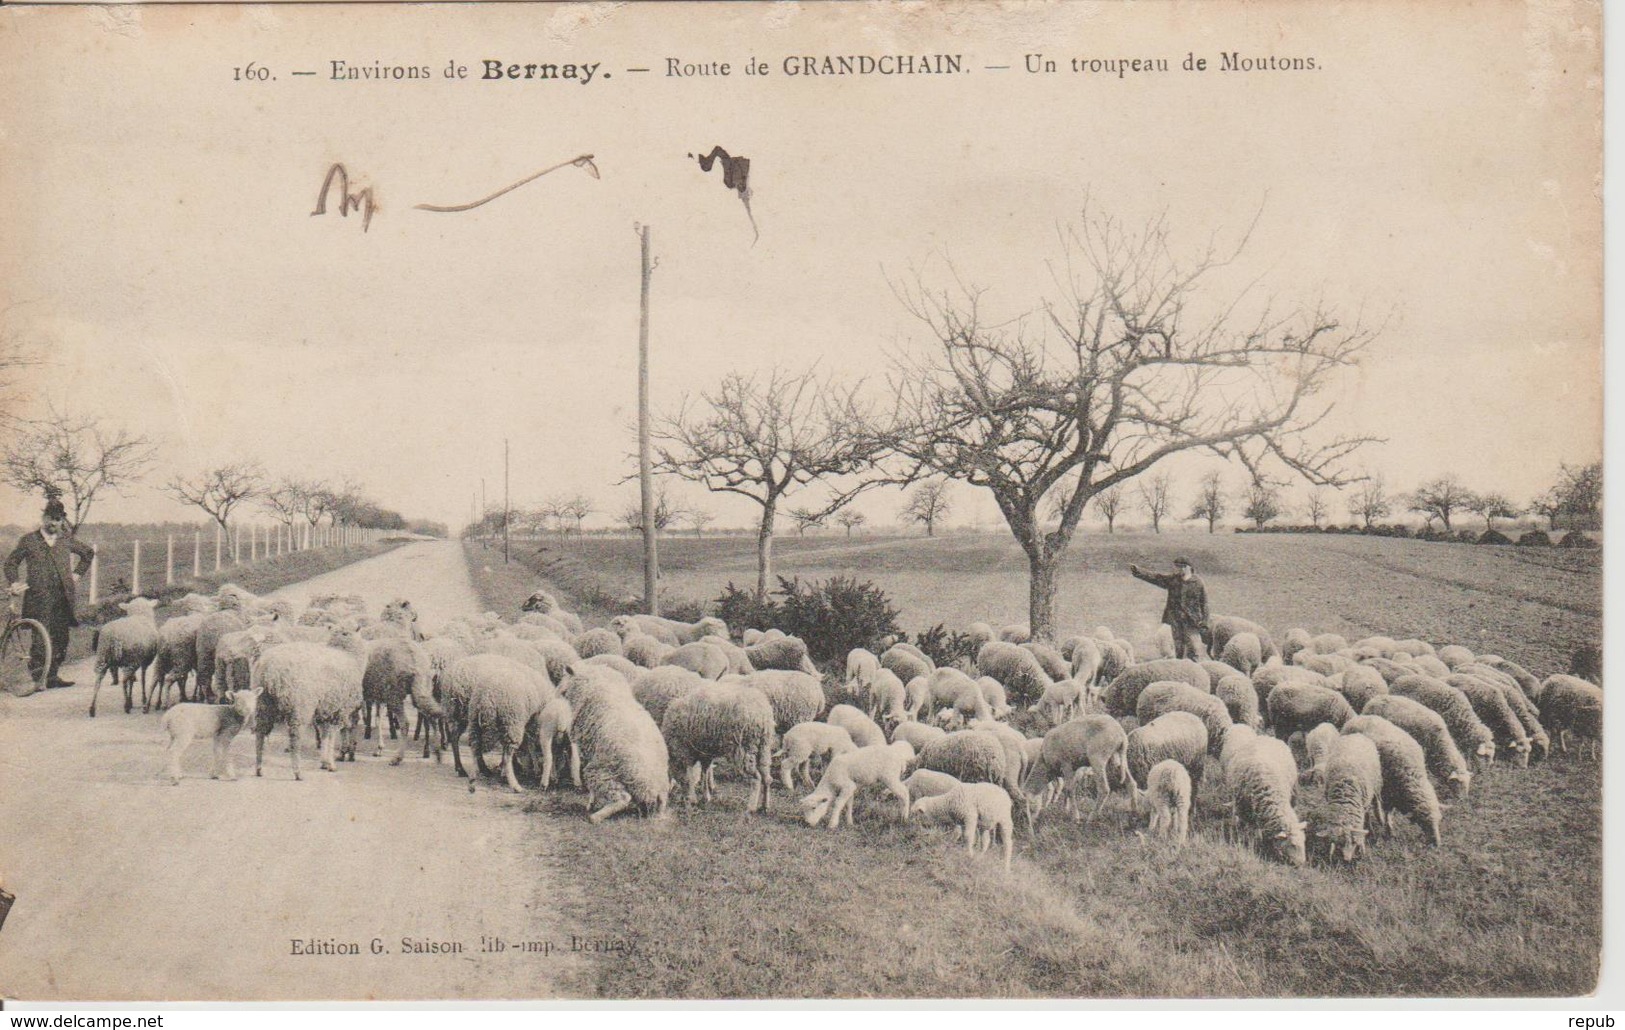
(1439, 173)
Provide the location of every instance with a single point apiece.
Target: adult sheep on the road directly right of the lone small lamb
(316, 685)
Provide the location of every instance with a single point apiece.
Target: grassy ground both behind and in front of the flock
(765, 907)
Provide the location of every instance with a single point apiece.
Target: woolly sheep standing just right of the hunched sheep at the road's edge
(717, 722)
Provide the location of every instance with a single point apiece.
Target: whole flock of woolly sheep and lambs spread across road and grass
(649, 706)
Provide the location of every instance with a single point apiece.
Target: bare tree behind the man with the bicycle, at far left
(74, 459)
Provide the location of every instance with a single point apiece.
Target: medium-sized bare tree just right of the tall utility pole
(768, 439)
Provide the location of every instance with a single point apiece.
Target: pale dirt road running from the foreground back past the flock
(129, 888)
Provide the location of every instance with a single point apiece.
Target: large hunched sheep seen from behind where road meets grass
(625, 760)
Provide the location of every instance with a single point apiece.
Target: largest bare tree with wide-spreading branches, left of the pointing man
(1130, 361)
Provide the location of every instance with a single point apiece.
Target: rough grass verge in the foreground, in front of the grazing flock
(726, 906)
